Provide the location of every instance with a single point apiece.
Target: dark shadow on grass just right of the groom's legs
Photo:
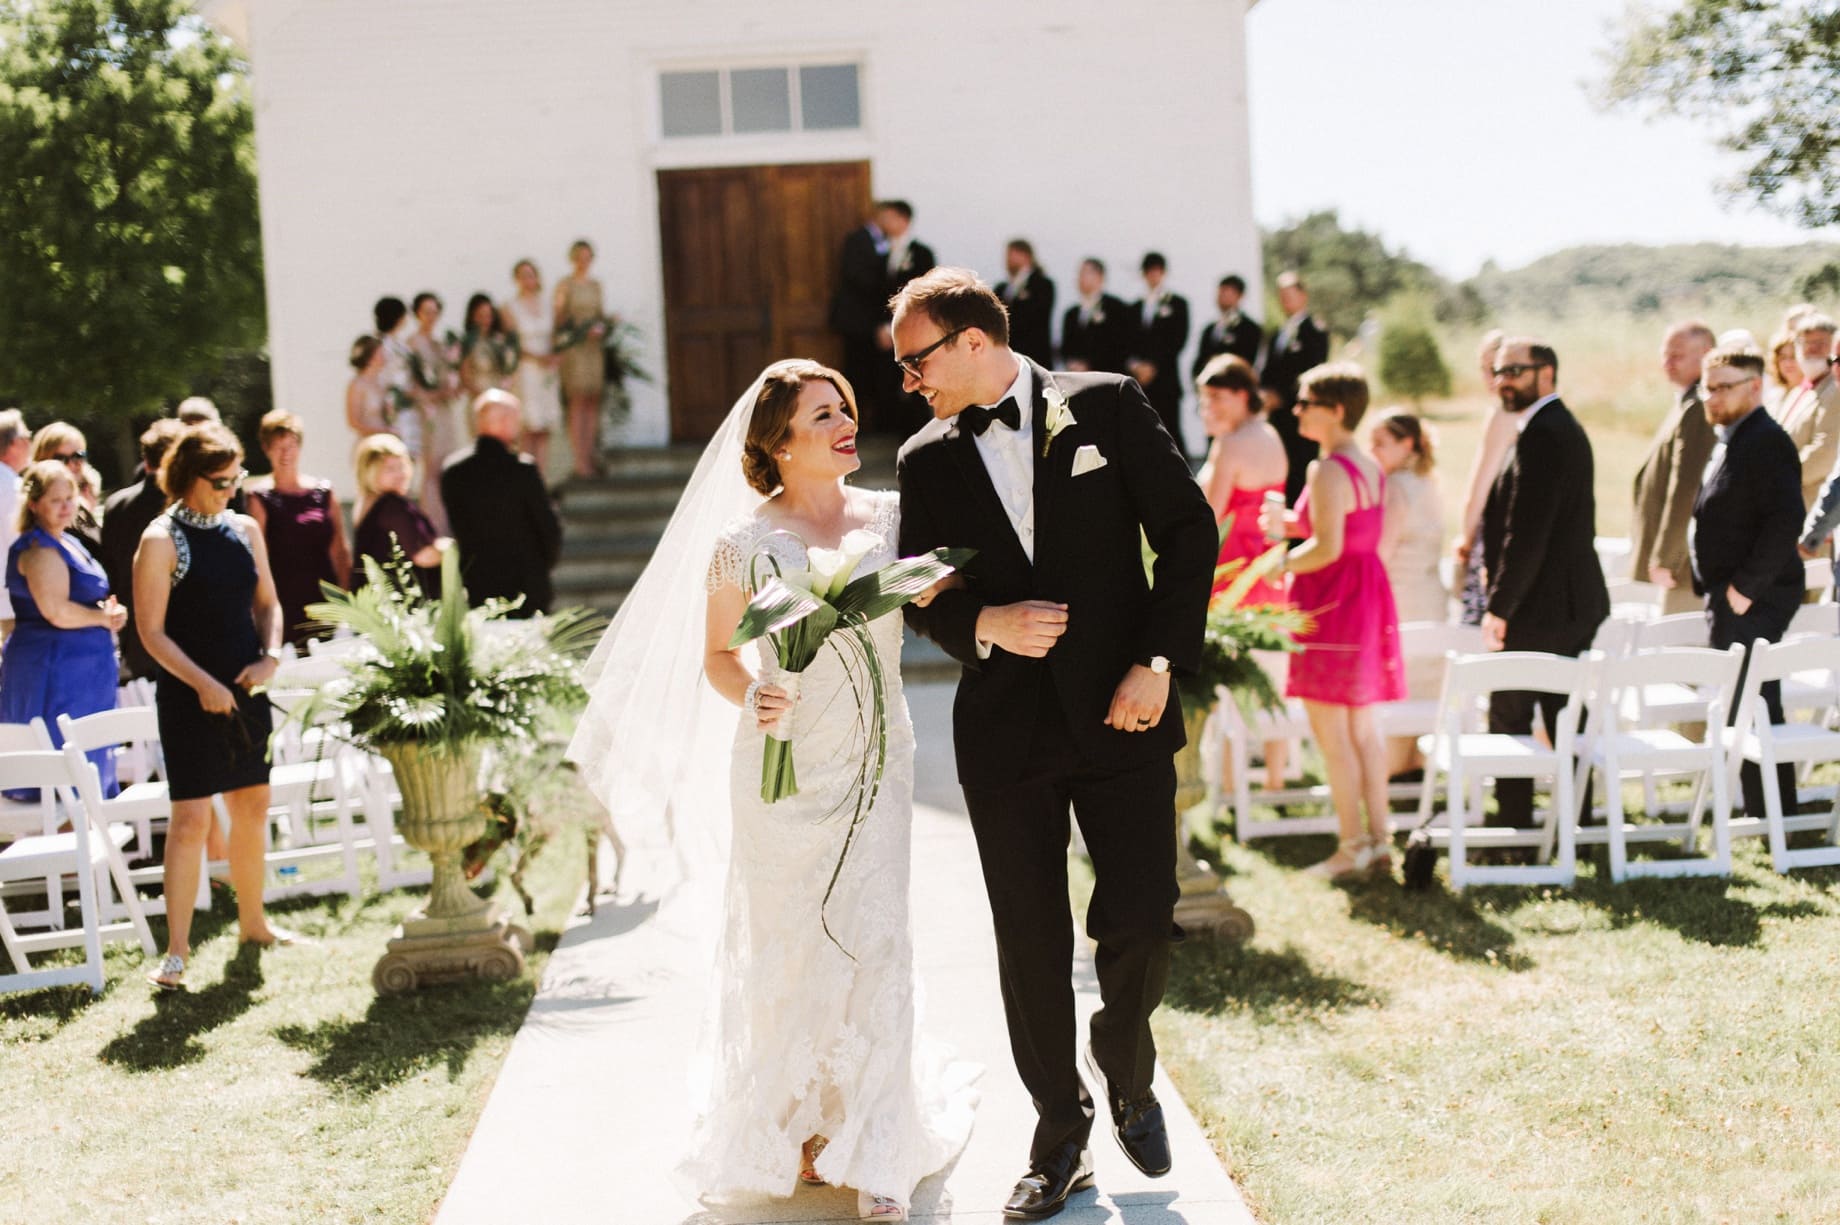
(1272, 987)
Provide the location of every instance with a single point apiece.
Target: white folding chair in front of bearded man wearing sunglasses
(1462, 757)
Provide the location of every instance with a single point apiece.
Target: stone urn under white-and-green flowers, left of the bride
(455, 935)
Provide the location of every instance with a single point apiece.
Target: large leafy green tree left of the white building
(130, 240)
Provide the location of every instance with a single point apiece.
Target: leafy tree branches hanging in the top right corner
(1765, 73)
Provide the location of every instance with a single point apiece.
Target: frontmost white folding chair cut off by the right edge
(1767, 746)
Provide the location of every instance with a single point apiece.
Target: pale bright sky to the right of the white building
(1464, 132)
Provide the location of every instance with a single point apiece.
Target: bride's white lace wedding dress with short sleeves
(805, 1040)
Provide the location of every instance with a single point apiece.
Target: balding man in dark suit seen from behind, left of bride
(503, 518)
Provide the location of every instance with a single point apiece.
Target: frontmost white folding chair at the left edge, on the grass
(89, 854)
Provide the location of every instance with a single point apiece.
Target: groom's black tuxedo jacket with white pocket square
(1088, 555)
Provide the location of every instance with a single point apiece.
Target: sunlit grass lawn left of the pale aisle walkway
(277, 1090)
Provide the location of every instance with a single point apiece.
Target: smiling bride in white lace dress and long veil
(812, 1068)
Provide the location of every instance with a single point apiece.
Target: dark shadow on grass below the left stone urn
(404, 1036)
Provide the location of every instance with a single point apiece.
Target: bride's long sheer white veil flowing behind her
(656, 740)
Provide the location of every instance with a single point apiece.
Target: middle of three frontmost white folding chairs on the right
(1616, 744)
